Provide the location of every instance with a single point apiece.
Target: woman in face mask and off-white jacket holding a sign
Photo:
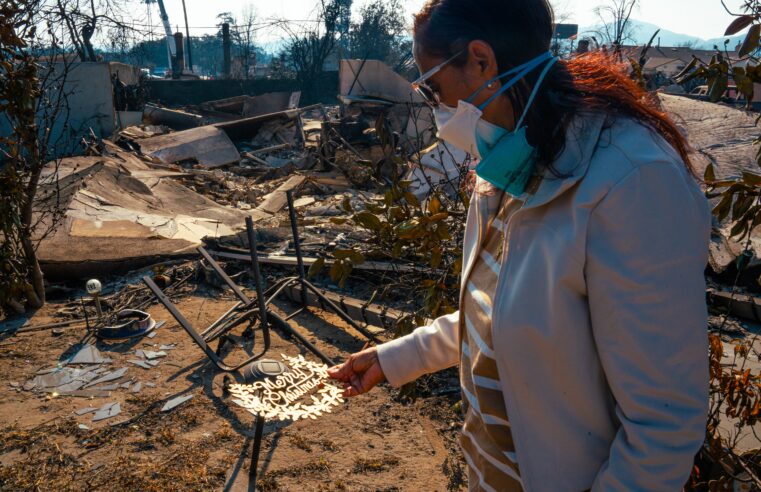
(581, 333)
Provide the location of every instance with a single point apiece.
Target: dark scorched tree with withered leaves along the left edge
(21, 279)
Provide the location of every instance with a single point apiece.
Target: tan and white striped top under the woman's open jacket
(486, 439)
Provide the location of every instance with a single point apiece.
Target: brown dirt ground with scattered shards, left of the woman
(375, 442)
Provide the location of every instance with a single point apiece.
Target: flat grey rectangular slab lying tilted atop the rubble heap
(207, 145)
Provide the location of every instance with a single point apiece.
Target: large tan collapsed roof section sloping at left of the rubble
(120, 211)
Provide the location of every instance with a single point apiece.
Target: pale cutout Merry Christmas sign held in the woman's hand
(300, 393)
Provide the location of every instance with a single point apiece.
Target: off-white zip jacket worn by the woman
(599, 320)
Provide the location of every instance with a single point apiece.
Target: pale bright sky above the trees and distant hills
(701, 18)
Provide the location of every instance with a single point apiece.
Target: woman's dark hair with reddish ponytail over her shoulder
(520, 30)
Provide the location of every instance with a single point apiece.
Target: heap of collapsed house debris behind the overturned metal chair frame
(158, 188)
